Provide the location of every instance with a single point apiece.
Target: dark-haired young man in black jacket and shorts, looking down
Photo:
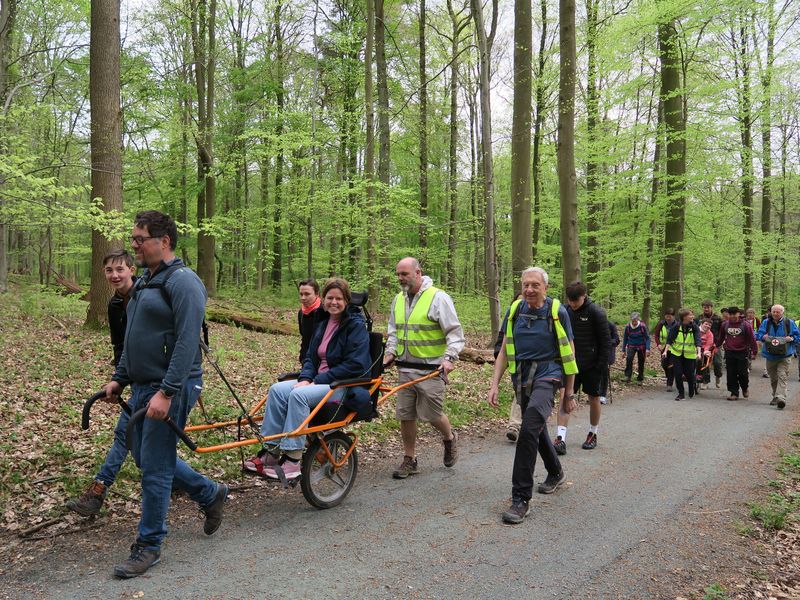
(592, 347)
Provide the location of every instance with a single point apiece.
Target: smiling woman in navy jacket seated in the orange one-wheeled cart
(339, 350)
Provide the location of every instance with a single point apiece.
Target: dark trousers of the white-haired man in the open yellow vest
(533, 437)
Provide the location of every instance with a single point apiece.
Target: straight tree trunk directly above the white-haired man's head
(521, 138)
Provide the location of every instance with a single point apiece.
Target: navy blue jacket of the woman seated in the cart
(347, 355)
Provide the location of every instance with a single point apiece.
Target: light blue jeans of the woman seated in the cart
(288, 407)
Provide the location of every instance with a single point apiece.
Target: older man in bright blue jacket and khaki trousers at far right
(778, 335)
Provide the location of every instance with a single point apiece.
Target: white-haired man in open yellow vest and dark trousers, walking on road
(538, 349)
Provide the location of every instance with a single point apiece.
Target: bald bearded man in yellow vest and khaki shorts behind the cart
(423, 333)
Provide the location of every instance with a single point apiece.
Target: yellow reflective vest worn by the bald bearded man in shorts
(424, 338)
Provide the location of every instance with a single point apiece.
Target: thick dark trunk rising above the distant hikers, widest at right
(672, 93)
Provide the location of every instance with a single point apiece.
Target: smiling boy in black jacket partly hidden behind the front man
(119, 270)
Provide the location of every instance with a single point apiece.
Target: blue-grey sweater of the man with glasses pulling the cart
(162, 344)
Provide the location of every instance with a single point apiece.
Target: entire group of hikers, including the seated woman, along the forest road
(551, 351)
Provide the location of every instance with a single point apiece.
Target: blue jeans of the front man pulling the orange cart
(155, 453)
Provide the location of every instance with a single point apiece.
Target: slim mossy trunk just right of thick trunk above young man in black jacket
(592, 168)
